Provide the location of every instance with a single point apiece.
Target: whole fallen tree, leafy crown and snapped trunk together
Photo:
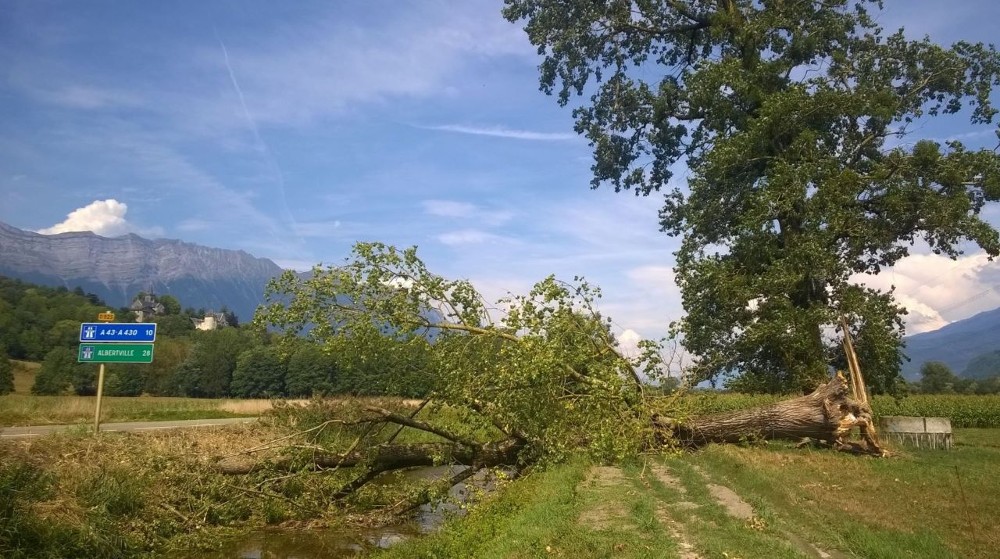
(542, 380)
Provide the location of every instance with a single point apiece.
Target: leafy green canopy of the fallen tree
(544, 374)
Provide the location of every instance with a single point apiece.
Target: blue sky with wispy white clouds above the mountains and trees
(291, 130)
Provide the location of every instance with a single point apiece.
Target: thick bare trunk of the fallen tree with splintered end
(827, 414)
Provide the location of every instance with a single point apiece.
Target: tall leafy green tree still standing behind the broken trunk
(794, 119)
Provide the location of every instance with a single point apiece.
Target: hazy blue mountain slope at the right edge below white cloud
(956, 344)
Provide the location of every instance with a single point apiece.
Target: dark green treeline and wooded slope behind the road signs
(43, 324)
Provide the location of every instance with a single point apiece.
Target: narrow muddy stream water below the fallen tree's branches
(322, 544)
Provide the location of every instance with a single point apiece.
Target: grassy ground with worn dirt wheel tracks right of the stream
(731, 502)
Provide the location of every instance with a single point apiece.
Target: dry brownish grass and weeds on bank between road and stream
(150, 491)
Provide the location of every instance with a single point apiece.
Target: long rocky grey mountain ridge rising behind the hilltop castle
(116, 269)
